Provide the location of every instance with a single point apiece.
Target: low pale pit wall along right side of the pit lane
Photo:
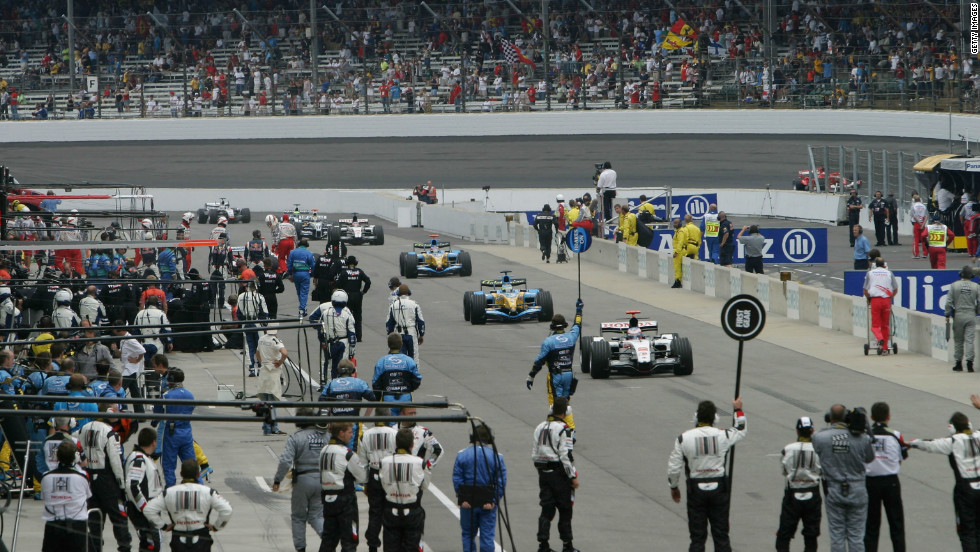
(914, 331)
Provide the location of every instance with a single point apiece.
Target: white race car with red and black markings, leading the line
(635, 349)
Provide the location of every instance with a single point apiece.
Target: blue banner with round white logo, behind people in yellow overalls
(783, 245)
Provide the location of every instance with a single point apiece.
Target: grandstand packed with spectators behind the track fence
(603, 55)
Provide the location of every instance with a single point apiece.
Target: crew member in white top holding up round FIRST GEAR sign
(702, 453)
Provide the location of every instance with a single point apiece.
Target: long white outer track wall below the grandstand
(556, 123)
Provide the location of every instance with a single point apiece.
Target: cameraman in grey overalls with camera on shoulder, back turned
(844, 447)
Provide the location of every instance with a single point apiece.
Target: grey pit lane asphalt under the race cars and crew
(626, 427)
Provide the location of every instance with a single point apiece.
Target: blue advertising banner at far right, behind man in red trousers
(918, 290)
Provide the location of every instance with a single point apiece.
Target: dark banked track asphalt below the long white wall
(693, 161)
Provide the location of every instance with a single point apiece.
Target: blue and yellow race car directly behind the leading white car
(508, 300)
